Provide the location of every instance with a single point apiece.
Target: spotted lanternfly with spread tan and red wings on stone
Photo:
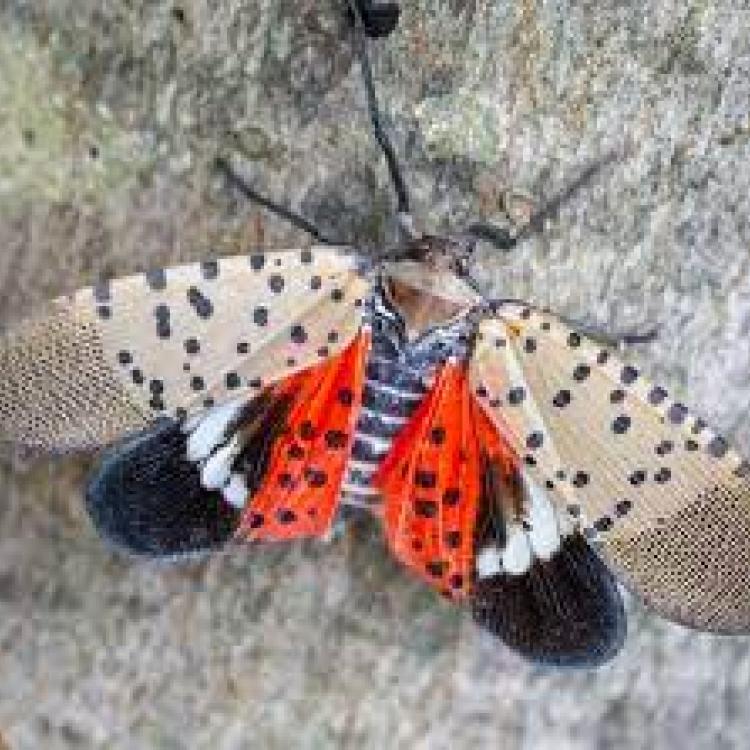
(518, 466)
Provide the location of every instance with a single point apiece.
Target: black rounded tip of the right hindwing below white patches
(566, 611)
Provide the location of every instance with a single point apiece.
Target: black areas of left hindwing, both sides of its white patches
(147, 498)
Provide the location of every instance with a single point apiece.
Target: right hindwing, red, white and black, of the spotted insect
(461, 511)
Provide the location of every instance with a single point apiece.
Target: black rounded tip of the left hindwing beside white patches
(146, 498)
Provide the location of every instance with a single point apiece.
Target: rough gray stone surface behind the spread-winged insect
(110, 116)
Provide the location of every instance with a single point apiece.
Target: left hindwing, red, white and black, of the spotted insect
(268, 468)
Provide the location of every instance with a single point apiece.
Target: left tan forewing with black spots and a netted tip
(110, 359)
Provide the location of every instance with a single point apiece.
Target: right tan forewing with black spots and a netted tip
(664, 499)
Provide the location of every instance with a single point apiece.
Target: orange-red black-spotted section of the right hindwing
(431, 482)
